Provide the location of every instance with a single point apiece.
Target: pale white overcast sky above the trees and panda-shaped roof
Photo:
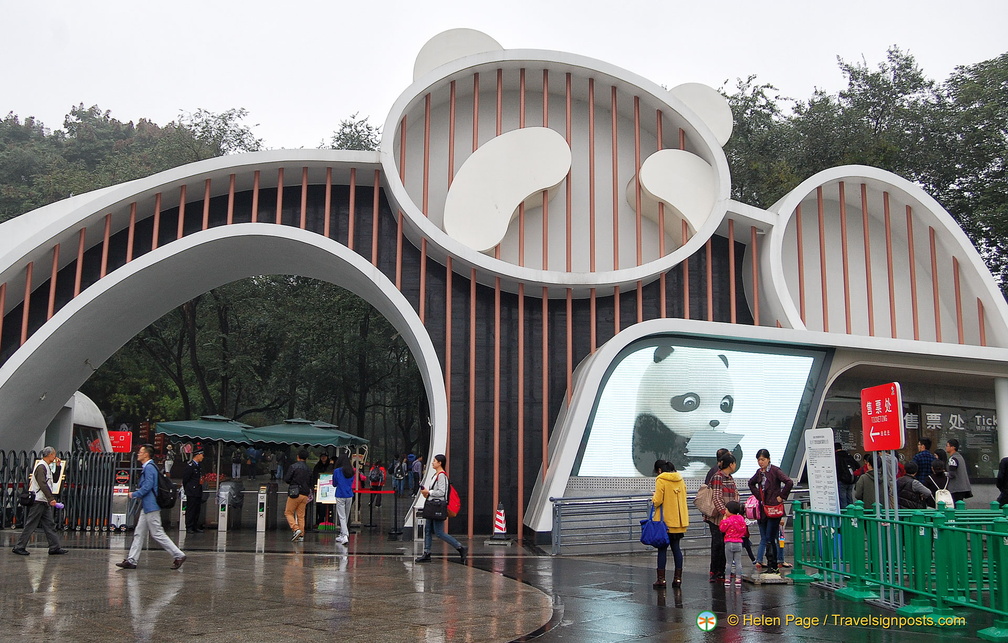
(300, 68)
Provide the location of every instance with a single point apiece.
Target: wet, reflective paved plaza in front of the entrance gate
(247, 587)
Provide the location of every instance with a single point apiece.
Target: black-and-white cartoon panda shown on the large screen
(685, 406)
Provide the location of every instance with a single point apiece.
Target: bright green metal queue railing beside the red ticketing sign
(924, 562)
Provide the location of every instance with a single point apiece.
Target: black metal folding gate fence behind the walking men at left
(86, 493)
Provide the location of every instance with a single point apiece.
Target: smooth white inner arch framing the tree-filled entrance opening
(41, 376)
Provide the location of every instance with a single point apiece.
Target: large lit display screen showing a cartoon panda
(679, 400)
